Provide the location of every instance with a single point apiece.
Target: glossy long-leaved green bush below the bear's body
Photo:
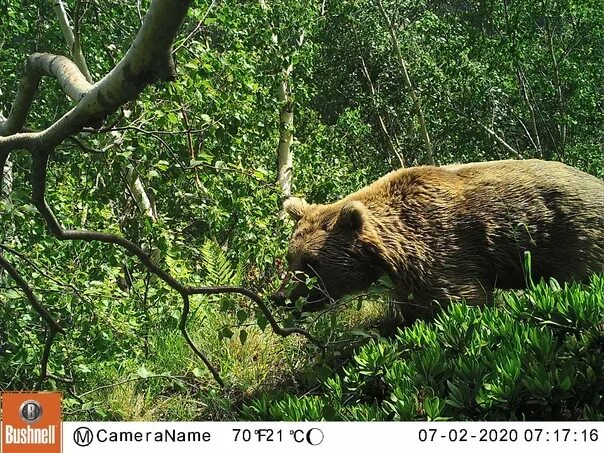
(538, 356)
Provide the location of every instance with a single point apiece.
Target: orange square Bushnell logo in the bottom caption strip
(31, 422)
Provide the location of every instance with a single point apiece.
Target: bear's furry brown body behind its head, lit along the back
(488, 214)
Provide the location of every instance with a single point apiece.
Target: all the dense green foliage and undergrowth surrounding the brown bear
(205, 146)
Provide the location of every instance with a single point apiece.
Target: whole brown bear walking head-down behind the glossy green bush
(450, 233)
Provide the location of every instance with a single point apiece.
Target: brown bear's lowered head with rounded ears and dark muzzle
(337, 244)
